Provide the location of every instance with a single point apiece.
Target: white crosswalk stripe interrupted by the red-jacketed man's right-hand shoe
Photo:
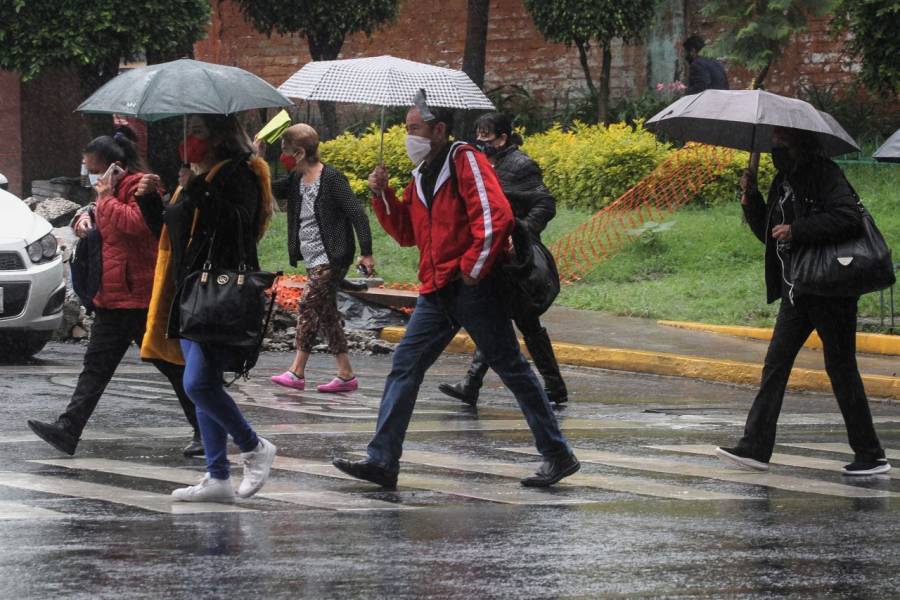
(613, 483)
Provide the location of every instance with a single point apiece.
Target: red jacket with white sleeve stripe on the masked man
(466, 228)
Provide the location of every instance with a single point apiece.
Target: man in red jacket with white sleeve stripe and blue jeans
(456, 213)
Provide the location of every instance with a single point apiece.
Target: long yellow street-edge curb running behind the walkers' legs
(661, 363)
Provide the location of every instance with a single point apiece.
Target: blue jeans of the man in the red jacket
(436, 319)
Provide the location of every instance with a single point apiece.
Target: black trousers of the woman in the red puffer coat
(111, 335)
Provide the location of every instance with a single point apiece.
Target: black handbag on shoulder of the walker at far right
(850, 268)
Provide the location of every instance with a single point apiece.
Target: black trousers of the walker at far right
(835, 321)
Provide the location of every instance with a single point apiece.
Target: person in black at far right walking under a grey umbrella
(810, 202)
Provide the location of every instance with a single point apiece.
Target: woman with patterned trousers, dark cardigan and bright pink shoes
(322, 214)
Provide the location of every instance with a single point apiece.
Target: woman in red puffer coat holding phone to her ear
(128, 261)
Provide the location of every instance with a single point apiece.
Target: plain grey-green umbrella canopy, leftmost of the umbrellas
(182, 87)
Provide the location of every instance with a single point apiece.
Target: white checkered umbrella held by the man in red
(384, 81)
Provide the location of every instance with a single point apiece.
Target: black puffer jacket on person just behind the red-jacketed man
(523, 184)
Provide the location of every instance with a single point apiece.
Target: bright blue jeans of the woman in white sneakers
(217, 414)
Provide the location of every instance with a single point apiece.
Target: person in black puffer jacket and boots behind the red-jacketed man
(533, 207)
